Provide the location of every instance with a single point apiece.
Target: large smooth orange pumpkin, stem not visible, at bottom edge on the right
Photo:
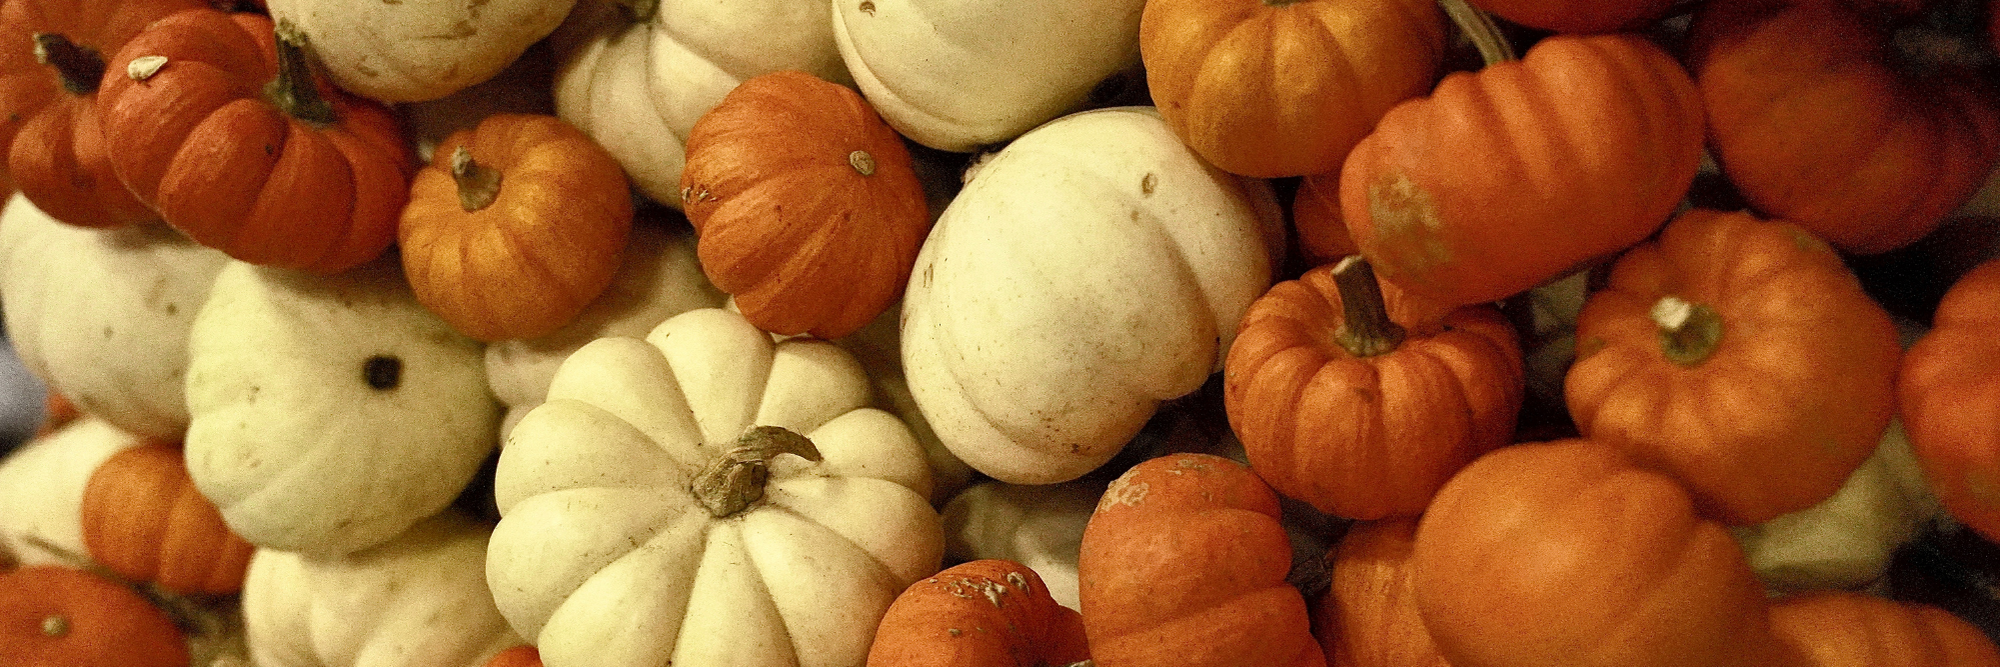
(1567, 554)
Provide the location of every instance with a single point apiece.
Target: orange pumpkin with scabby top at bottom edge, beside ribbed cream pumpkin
(981, 614)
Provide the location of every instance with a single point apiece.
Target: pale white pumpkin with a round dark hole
(331, 412)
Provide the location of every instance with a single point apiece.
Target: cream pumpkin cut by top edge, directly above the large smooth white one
(965, 75)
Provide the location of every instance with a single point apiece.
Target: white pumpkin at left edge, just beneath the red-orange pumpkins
(103, 317)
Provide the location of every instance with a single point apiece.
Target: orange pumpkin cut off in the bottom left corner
(101, 622)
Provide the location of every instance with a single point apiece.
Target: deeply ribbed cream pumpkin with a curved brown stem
(607, 554)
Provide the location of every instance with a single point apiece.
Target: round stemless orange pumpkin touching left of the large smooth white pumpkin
(807, 205)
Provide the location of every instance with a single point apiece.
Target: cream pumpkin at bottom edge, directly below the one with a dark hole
(415, 602)
